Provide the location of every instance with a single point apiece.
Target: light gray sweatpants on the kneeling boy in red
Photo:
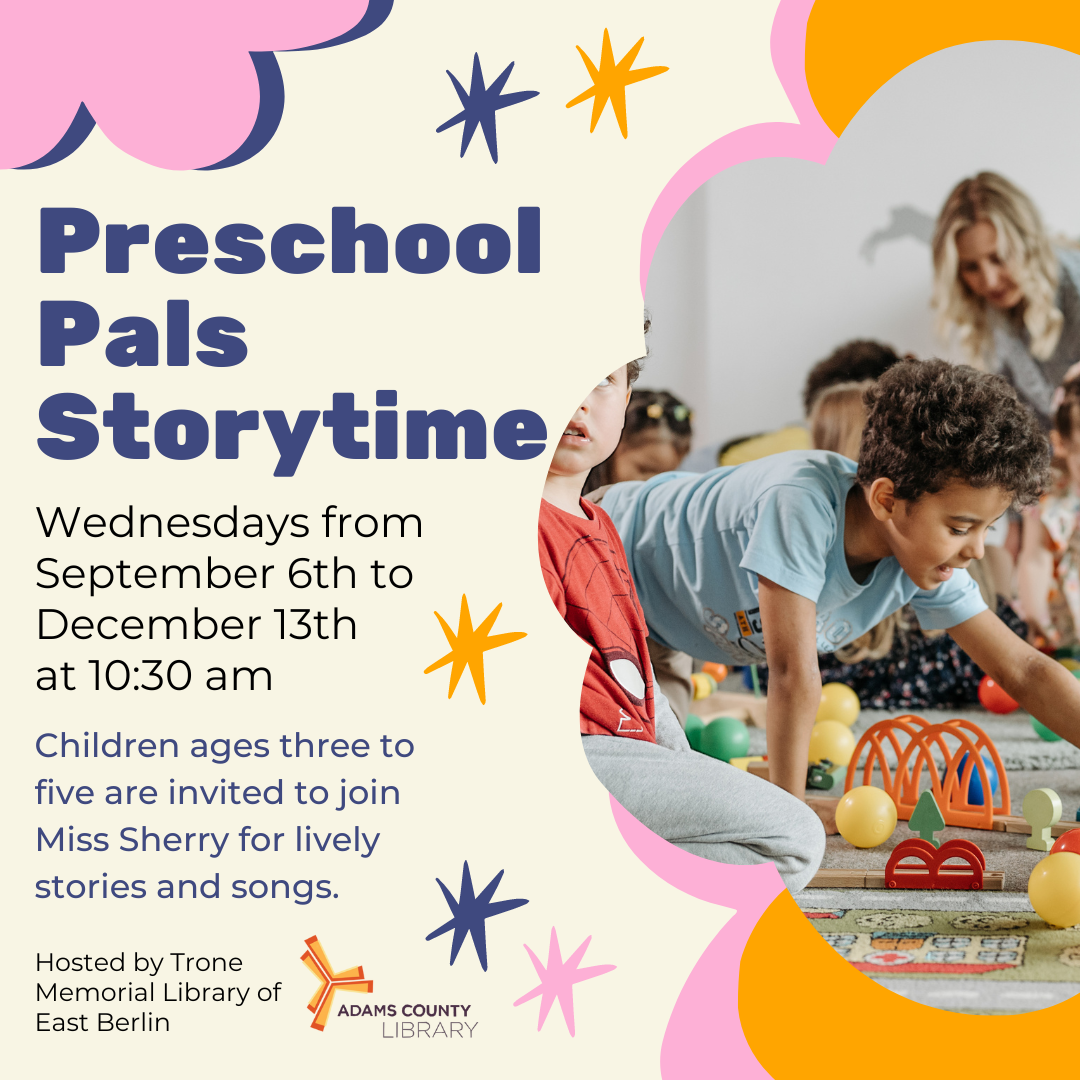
(708, 807)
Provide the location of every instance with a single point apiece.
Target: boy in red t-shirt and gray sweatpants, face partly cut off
(631, 737)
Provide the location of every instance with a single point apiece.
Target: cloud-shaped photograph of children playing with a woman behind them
(863, 468)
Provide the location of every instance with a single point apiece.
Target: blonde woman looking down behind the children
(1005, 291)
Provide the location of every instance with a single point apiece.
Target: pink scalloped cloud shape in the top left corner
(172, 85)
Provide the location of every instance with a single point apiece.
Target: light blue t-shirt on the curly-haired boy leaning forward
(697, 543)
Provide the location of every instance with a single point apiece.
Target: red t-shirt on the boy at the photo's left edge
(585, 568)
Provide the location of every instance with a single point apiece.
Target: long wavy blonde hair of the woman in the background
(1023, 247)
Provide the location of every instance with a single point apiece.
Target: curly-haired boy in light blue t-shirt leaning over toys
(803, 552)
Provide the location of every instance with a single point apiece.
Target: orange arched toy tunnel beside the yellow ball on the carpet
(955, 740)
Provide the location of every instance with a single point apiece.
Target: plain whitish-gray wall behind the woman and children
(764, 271)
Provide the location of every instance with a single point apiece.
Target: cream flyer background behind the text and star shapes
(504, 786)
